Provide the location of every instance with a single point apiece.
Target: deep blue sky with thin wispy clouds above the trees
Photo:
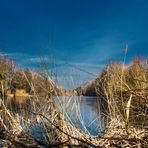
(79, 36)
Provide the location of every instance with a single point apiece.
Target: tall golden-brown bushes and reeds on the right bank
(125, 90)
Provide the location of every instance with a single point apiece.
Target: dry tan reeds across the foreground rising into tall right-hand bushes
(124, 89)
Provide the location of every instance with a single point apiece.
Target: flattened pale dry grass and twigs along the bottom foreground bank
(116, 135)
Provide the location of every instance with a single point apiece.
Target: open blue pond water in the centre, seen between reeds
(83, 112)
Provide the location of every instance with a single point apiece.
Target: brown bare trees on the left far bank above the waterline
(15, 80)
